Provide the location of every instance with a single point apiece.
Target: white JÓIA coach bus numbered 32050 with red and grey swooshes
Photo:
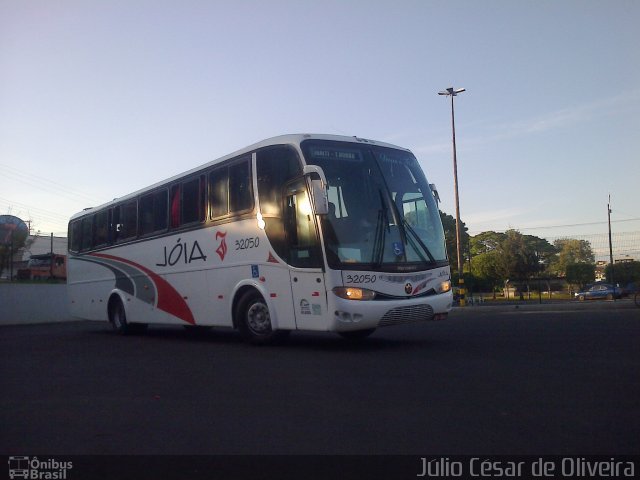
(298, 232)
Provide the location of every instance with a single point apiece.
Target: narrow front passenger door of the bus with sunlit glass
(305, 256)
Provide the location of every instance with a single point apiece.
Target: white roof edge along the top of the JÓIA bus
(291, 139)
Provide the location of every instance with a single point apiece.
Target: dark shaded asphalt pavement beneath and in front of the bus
(487, 381)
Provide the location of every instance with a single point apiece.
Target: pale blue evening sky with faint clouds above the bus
(101, 98)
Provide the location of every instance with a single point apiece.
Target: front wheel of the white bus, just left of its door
(254, 321)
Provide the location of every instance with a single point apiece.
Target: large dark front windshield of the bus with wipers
(382, 214)
